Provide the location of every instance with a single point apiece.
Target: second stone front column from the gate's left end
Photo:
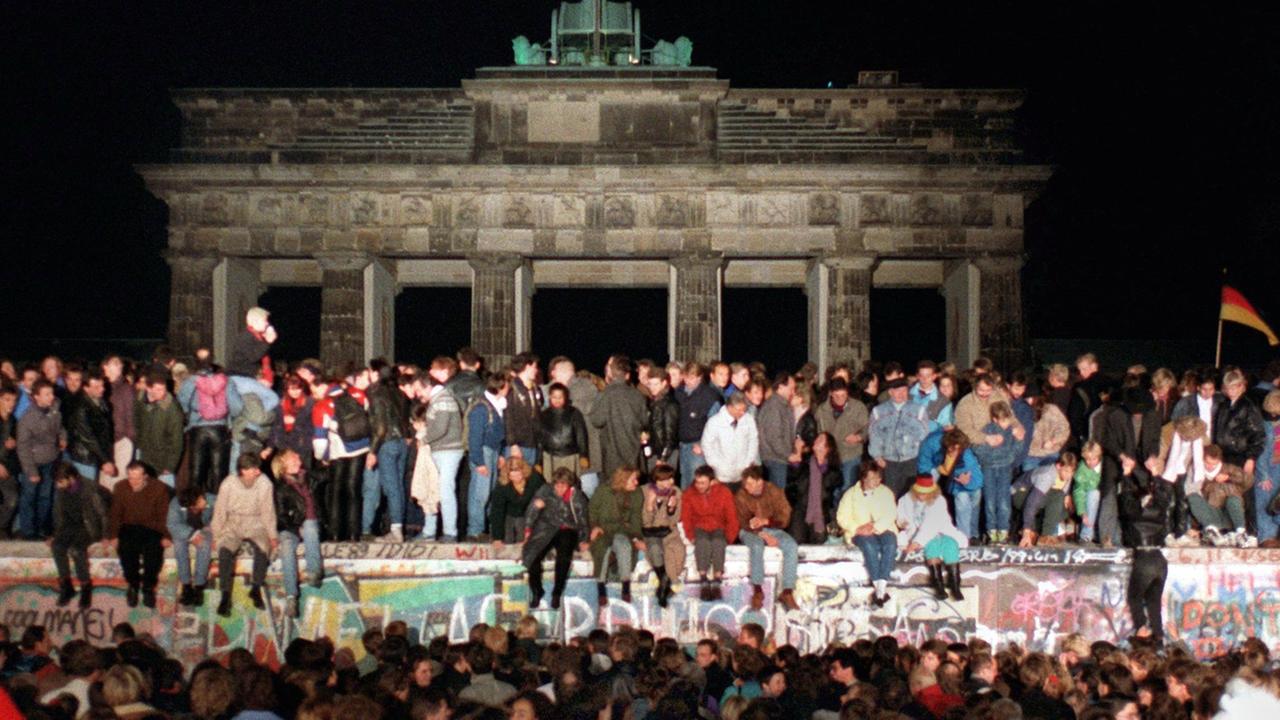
(342, 308)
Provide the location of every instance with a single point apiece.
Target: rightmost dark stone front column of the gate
(1002, 334)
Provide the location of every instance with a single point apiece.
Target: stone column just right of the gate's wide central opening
(696, 300)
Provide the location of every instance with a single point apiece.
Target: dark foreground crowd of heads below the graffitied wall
(506, 675)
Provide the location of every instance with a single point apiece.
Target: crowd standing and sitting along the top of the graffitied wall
(648, 459)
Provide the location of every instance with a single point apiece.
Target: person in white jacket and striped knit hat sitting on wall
(925, 525)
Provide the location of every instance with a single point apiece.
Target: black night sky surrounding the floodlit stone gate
(1163, 127)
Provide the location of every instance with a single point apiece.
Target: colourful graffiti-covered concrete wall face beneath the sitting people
(1030, 598)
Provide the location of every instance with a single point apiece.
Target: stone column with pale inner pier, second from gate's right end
(840, 327)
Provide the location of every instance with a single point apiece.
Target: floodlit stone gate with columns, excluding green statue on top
(619, 166)
